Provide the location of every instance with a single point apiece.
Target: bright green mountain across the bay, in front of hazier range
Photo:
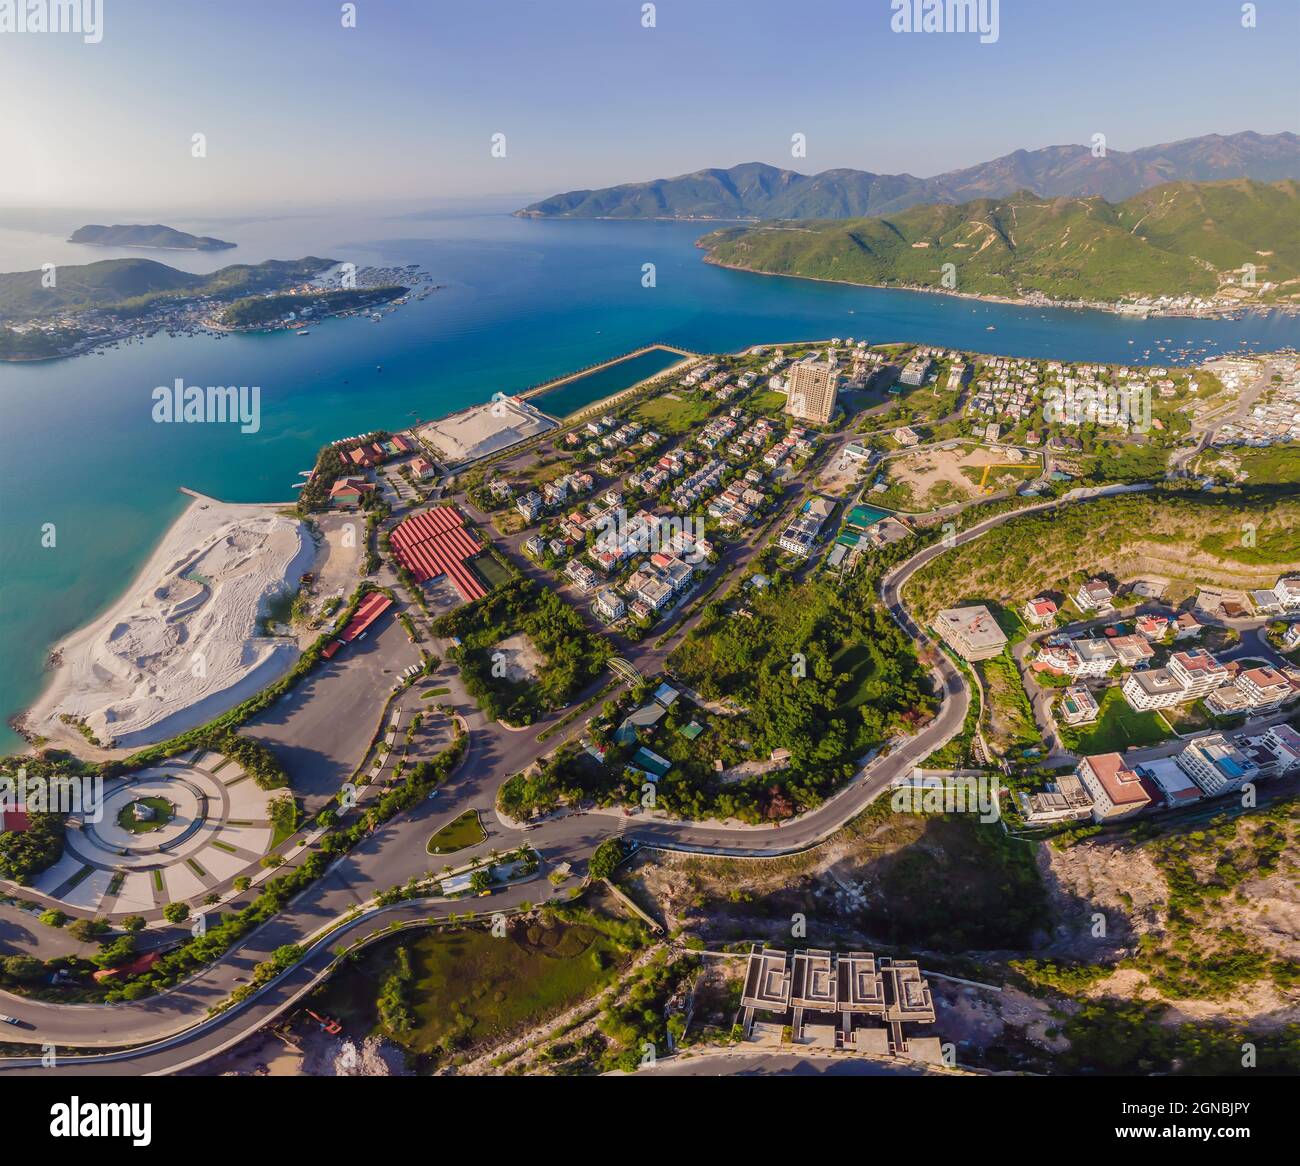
(1173, 240)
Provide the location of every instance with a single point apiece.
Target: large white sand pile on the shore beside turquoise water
(184, 644)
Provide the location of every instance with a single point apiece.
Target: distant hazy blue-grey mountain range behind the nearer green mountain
(757, 192)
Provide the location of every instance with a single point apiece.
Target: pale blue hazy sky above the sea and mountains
(298, 110)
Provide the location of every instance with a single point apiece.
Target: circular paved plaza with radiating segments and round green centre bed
(177, 833)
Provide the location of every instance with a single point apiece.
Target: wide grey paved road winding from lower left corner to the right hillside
(397, 852)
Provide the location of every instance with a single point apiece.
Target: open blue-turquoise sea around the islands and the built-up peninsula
(525, 302)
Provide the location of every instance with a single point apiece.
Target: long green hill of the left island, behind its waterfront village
(131, 287)
